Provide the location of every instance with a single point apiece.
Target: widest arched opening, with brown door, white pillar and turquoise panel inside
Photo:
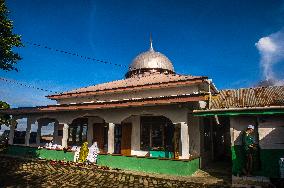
(147, 135)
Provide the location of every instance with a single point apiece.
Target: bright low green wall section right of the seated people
(152, 165)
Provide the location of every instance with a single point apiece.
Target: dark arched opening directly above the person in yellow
(77, 132)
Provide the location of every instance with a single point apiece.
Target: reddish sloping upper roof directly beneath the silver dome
(132, 83)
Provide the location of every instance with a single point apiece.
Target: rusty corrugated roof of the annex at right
(249, 97)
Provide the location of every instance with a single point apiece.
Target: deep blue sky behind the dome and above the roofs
(211, 38)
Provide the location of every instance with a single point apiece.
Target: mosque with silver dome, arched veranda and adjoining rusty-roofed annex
(154, 117)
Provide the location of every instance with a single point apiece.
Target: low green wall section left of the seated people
(33, 152)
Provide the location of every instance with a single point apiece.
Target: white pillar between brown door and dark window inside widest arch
(135, 135)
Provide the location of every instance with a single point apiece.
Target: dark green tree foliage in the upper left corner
(8, 40)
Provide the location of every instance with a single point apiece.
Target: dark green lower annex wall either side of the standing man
(268, 165)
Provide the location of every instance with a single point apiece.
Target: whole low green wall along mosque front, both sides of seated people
(152, 165)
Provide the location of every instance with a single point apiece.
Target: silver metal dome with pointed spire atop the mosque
(150, 61)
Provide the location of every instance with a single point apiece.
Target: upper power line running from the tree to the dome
(75, 54)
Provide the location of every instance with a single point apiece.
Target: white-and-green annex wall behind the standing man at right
(269, 135)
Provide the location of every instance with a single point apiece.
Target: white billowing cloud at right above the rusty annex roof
(271, 49)
